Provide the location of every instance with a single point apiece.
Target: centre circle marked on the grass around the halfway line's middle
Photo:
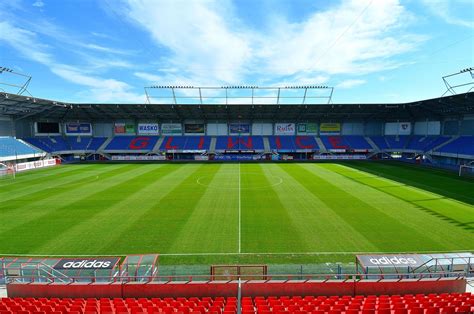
(233, 184)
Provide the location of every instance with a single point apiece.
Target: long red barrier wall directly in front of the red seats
(249, 288)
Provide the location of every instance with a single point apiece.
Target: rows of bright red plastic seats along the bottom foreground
(384, 304)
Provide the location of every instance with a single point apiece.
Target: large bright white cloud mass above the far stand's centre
(206, 43)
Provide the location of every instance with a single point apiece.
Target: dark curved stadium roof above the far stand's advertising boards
(22, 107)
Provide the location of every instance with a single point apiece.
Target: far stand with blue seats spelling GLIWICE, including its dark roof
(437, 131)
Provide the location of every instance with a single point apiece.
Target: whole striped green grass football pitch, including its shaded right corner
(236, 213)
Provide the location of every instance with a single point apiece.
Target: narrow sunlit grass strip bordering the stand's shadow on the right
(447, 209)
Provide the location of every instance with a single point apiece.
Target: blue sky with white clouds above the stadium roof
(108, 50)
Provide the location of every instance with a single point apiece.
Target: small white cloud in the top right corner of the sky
(459, 12)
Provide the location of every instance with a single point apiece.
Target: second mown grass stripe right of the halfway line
(320, 227)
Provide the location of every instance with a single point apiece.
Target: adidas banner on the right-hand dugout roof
(392, 260)
